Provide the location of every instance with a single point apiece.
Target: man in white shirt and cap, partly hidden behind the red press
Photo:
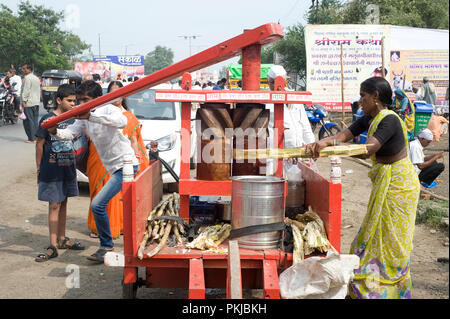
(298, 130)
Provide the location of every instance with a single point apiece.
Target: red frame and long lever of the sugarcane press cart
(195, 269)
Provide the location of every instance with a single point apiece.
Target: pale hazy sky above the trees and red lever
(137, 26)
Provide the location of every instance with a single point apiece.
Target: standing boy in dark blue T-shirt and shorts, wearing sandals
(57, 179)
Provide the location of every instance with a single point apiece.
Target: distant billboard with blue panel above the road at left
(122, 66)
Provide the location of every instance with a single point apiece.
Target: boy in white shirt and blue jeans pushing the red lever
(104, 126)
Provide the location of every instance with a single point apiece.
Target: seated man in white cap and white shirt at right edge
(426, 166)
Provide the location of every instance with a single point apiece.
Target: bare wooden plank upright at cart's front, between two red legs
(234, 281)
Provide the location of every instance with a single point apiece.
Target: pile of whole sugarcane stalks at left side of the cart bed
(158, 230)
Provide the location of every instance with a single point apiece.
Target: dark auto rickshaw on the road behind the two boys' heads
(52, 79)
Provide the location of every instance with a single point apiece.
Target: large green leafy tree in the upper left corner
(33, 36)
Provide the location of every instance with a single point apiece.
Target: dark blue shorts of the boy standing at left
(57, 192)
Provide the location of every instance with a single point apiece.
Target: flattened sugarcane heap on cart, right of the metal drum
(309, 235)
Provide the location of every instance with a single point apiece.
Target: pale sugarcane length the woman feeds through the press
(261, 154)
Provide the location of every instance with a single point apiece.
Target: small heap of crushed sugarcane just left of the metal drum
(211, 237)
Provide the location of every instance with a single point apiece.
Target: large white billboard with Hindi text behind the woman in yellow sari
(409, 55)
